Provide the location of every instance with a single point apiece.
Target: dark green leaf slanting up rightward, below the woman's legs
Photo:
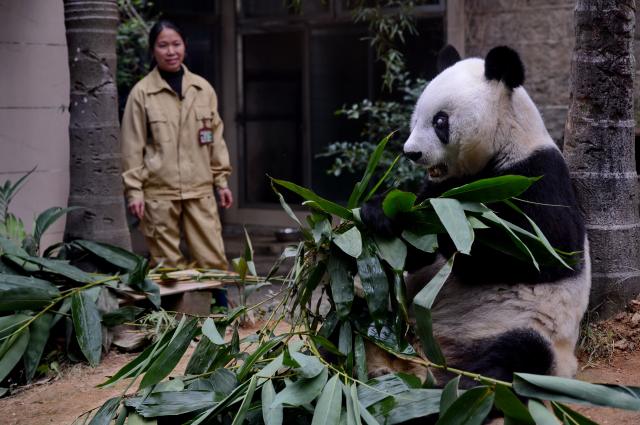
(171, 355)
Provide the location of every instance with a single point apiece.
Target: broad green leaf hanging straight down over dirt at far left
(86, 322)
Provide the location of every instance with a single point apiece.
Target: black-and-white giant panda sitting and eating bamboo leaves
(497, 315)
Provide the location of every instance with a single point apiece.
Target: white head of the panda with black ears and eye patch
(473, 112)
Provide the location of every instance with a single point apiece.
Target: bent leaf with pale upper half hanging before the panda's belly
(422, 305)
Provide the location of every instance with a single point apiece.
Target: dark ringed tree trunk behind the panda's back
(599, 147)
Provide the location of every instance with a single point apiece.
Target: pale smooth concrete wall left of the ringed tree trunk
(34, 118)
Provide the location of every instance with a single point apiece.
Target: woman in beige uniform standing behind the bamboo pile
(174, 155)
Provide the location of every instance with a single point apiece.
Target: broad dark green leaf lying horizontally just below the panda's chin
(492, 189)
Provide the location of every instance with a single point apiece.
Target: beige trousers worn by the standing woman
(199, 220)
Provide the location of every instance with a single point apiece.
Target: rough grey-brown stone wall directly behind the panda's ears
(542, 32)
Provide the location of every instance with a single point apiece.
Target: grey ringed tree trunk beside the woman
(95, 166)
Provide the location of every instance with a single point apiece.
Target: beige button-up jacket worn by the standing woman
(161, 154)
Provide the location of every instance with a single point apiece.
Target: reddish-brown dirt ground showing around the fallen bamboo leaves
(62, 400)
